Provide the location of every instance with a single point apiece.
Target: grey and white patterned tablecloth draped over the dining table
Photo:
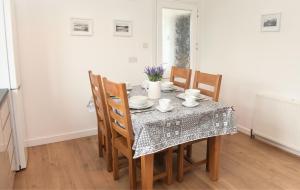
(155, 131)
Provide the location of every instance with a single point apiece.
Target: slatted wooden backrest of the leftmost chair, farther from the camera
(100, 103)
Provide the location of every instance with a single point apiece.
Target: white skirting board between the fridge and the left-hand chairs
(61, 137)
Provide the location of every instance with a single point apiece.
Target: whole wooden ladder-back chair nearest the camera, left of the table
(122, 133)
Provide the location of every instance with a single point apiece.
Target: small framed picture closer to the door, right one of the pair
(122, 28)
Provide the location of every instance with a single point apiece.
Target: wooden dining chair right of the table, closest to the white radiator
(185, 162)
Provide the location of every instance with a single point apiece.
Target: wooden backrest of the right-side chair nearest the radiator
(213, 81)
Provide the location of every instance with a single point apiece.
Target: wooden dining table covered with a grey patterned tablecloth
(155, 131)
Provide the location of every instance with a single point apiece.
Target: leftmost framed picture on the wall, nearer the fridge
(81, 27)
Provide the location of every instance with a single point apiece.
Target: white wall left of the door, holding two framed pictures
(55, 64)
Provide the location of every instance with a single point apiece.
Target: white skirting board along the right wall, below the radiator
(247, 131)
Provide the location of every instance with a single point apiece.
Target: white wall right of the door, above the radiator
(251, 61)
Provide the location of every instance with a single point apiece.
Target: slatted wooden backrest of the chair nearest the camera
(118, 110)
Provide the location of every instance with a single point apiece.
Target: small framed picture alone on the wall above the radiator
(271, 22)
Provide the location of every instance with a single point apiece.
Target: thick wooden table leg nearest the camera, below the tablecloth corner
(147, 171)
